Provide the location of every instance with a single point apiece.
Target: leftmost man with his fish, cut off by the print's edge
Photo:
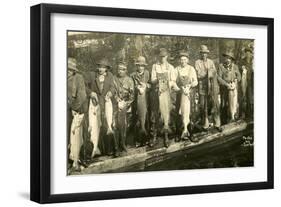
(77, 107)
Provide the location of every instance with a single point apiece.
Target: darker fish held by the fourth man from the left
(142, 107)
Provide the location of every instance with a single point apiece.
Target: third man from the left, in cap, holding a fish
(124, 97)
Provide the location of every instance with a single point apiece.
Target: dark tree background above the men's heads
(89, 47)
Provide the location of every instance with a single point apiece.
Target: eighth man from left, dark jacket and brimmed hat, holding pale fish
(229, 77)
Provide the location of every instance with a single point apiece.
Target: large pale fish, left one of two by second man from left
(94, 124)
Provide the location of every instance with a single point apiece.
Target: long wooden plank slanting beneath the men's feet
(145, 156)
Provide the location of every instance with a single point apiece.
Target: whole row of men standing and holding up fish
(155, 103)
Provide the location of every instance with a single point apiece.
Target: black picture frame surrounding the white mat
(41, 102)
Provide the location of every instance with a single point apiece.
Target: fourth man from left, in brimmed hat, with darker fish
(141, 78)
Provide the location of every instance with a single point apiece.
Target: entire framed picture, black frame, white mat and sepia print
(129, 103)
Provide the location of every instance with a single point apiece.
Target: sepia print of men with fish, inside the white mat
(147, 102)
